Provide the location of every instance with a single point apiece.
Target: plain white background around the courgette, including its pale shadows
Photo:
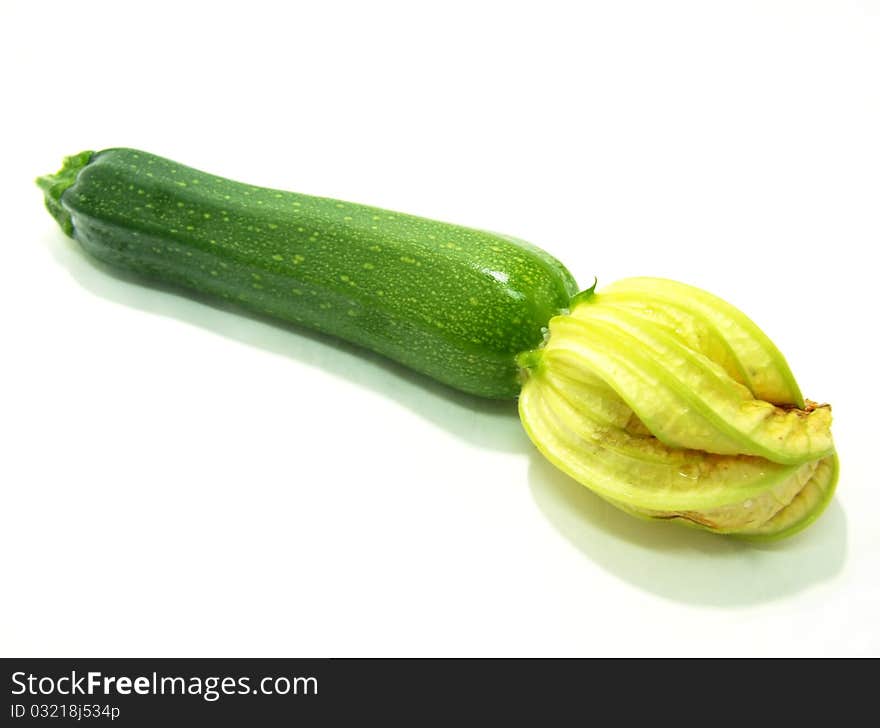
(178, 480)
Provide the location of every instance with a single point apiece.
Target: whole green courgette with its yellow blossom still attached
(661, 398)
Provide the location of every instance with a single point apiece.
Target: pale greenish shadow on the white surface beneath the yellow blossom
(682, 564)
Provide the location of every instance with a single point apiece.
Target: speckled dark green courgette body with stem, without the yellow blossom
(451, 302)
